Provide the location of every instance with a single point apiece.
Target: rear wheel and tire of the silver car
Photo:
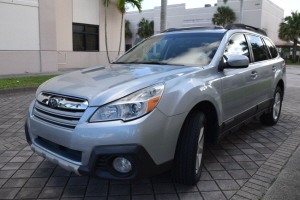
(273, 117)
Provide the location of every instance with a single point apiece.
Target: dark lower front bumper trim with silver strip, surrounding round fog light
(100, 164)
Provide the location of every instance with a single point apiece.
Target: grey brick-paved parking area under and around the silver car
(242, 166)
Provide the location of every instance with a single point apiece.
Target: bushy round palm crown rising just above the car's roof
(223, 16)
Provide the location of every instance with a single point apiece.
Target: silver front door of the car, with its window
(237, 90)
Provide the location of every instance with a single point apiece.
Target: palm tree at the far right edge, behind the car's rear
(289, 29)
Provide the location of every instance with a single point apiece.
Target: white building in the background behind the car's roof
(262, 14)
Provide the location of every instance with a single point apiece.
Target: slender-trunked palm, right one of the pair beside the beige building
(122, 8)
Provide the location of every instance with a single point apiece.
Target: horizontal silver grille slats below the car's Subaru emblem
(59, 117)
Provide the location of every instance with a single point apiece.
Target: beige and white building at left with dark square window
(47, 35)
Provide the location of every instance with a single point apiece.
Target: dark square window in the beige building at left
(85, 37)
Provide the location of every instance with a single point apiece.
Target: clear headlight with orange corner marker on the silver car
(132, 106)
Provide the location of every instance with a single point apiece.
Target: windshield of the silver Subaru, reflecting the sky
(190, 49)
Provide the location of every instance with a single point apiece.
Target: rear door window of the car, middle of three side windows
(259, 50)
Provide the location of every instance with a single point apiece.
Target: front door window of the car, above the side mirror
(237, 45)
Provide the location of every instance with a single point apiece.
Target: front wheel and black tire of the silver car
(187, 165)
